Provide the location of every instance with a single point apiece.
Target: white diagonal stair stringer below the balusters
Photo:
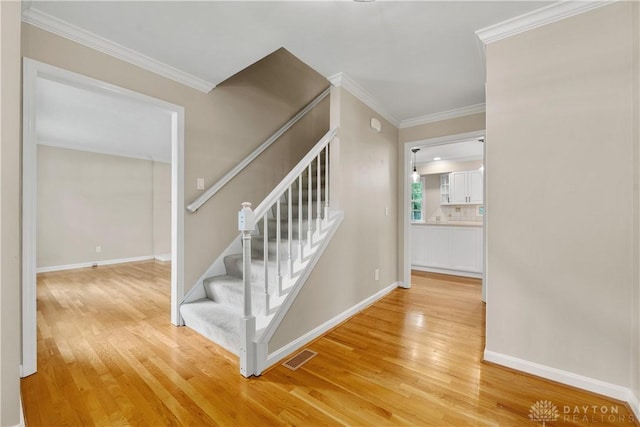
(264, 359)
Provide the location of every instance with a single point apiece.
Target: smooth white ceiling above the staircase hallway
(414, 58)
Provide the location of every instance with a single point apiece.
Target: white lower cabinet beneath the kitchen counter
(455, 248)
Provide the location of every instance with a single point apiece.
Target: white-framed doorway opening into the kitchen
(444, 223)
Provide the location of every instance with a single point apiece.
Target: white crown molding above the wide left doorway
(69, 31)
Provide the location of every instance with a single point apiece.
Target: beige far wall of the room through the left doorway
(89, 199)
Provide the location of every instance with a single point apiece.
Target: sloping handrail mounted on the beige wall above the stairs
(204, 197)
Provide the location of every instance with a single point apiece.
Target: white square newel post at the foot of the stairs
(246, 224)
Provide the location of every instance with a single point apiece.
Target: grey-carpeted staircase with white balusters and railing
(241, 309)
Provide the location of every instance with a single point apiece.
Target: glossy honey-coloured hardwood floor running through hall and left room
(107, 355)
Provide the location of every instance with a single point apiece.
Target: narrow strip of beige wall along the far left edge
(9, 213)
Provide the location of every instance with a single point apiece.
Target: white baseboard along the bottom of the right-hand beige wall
(564, 377)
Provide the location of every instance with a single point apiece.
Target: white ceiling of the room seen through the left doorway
(75, 118)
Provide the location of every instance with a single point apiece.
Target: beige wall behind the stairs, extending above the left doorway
(221, 128)
